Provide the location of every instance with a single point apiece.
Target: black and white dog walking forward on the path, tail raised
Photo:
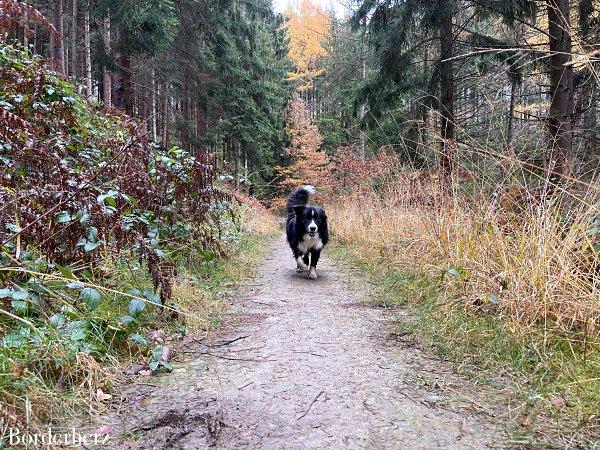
(306, 229)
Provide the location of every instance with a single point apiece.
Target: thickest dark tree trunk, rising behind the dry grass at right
(560, 117)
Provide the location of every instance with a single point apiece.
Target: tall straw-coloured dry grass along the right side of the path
(532, 263)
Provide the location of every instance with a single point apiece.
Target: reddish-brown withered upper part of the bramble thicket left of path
(76, 181)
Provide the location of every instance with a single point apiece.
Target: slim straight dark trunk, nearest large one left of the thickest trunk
(446, 161)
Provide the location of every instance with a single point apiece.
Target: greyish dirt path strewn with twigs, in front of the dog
(312, 367)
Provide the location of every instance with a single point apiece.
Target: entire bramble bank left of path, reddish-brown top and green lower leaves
(79, 187)
